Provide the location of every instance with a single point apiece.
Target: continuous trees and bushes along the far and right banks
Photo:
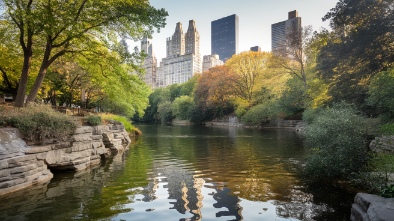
(339, 81)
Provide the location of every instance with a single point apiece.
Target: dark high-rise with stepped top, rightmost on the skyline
(280, 30)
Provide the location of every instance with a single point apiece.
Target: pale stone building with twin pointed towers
(183, 56)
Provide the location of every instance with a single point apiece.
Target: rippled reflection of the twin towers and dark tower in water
(187, 192)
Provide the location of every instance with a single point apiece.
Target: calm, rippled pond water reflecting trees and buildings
(188, 173)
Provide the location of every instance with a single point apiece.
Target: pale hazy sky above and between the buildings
(255, 19)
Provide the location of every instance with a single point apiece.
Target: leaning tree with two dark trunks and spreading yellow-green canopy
(60, 27)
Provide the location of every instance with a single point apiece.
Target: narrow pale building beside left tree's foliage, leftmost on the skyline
(150, 62)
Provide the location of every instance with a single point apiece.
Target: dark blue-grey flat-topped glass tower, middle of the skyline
(224, 37)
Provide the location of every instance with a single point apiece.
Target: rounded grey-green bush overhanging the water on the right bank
(337, 139)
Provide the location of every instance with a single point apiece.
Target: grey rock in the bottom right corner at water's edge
(368, 207)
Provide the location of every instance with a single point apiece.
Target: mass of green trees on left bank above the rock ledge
(54, 51)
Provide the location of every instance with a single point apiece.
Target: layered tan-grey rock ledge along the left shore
(22, 166)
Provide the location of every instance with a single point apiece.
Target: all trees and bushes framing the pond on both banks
(334, 80)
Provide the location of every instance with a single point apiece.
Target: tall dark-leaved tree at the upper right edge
(360, 46)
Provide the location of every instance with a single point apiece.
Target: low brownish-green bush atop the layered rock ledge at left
(38, 123)
